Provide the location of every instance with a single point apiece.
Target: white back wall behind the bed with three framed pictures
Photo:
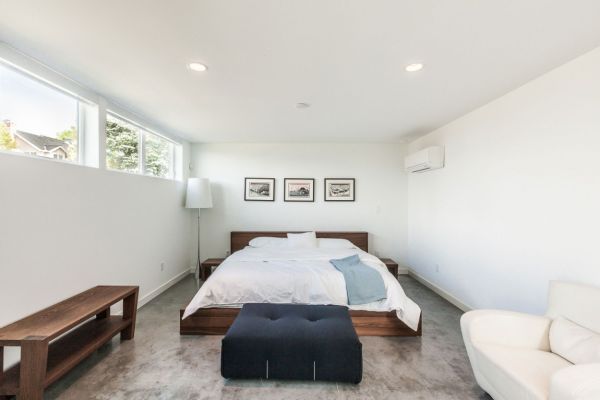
(380, 206)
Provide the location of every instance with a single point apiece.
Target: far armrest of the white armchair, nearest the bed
(506, 328)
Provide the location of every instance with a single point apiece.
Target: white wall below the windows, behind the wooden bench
(65, 228)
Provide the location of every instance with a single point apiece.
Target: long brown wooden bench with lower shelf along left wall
(43, 359)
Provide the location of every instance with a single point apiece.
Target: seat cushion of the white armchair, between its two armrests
(518, 373)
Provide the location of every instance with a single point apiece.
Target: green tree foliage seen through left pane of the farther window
(121, 147)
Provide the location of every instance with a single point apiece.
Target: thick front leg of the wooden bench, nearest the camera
(34, 358)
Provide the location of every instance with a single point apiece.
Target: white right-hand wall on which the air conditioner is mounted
(518, 203)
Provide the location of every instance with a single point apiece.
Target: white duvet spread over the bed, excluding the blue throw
(302, 276)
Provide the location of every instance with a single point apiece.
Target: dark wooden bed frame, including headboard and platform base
(216, 321)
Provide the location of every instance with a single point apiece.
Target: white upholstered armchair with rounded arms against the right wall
(511, 352)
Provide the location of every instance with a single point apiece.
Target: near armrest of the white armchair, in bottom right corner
(578, 382)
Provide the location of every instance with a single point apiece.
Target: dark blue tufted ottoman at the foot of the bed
(291, 341)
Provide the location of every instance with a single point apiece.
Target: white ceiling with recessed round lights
(344, 57)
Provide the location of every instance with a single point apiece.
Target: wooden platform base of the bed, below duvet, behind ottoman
(216, 321)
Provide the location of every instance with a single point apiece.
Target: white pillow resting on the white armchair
(573, 342)
